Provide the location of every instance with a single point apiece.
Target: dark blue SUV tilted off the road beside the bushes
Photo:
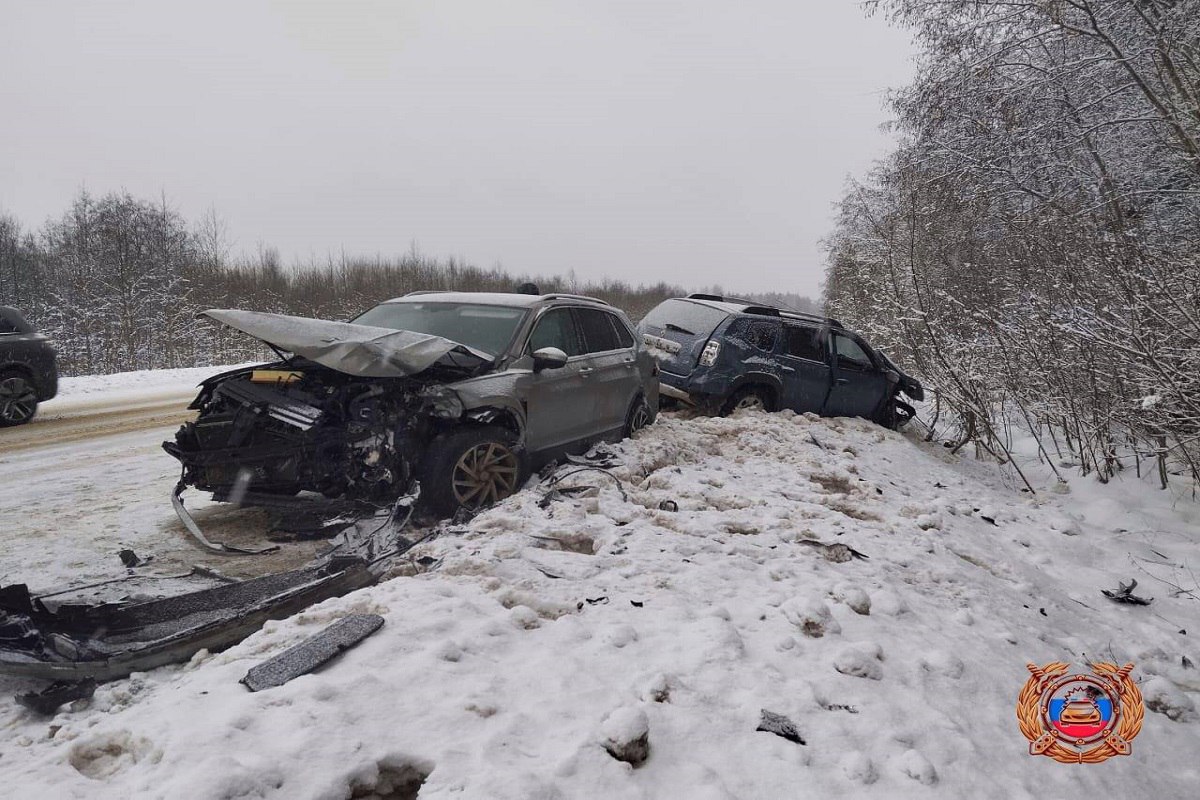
(721, 354)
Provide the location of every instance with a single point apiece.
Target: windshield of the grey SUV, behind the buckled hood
(489, 329)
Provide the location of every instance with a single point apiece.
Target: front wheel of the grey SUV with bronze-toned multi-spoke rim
(471, 468)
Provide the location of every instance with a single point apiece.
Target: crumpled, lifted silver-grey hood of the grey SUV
(361, 351)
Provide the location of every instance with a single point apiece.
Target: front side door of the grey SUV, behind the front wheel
(561, 405)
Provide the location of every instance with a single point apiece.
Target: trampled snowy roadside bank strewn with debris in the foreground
(541, 633)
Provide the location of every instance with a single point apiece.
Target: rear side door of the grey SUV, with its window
(613, 368)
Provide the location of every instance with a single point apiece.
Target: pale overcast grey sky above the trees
(685, 141)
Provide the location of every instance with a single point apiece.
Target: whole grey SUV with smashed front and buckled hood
(465, 393)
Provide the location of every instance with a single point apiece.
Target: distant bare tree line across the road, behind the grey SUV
(117, 282)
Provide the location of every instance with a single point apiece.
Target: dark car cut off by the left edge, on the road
(29, 370)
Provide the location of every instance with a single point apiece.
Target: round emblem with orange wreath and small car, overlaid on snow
(1081, 719)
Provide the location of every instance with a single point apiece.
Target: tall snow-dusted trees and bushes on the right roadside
(1033, 244)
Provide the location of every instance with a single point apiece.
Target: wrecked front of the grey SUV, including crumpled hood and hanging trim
(349, 416)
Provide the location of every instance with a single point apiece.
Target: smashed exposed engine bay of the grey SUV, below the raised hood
(286, 429)
